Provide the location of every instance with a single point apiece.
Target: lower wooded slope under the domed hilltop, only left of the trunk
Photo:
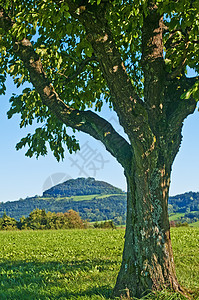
(112, 207)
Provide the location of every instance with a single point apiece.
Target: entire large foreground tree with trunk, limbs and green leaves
(133, 55)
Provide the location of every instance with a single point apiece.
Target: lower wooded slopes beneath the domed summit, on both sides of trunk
(98, 209)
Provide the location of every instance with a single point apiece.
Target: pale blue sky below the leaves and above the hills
(21, 177)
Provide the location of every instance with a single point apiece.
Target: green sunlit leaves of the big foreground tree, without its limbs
(70, 63)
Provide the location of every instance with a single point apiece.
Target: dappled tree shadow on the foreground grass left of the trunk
(86, 279)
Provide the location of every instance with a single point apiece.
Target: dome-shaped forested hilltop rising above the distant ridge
(81, 186)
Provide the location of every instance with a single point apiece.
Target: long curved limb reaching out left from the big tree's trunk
(86, 121)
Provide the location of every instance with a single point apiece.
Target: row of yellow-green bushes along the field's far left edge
(39, 219)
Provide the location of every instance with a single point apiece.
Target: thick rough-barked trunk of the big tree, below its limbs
(148, 262)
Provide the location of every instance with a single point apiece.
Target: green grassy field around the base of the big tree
(80, 264)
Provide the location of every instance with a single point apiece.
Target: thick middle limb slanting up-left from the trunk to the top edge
(124, 97)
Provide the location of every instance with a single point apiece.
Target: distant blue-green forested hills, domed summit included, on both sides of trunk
(96, 201)
